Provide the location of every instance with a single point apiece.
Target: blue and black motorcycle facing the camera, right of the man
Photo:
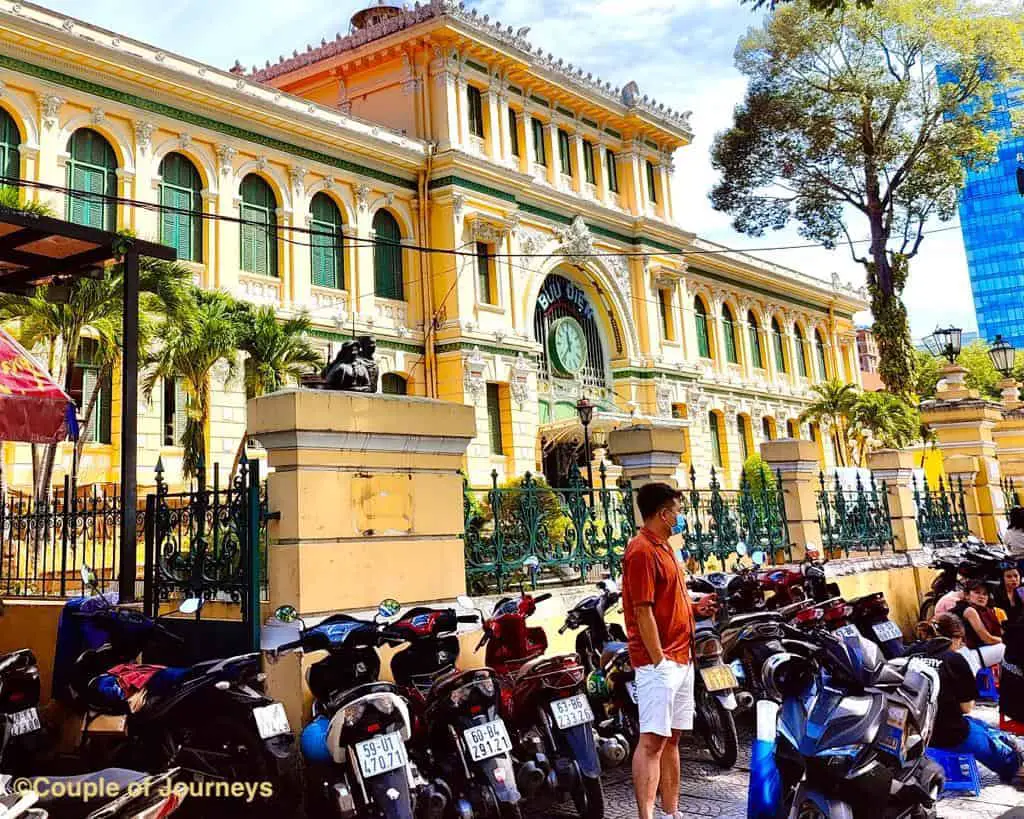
(854, 731)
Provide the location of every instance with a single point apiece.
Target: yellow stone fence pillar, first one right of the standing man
(796, 462)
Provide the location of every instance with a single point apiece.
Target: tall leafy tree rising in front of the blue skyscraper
(846, 130)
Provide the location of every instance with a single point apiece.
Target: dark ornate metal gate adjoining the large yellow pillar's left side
(206, 544)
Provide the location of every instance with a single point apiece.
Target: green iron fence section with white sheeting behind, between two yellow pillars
(855, 521)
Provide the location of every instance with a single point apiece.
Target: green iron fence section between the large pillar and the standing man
(569, 532)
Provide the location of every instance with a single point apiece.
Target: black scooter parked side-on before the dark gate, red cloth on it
(211, 719)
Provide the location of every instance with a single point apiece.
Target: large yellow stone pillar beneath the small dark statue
(363, 483)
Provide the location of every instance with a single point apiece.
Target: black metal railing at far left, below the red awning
(44, 545)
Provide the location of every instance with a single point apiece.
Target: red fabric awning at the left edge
(33, 408)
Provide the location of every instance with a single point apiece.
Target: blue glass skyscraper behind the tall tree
(992, 214)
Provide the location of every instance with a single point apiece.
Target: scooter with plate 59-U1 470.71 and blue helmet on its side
(358, 764)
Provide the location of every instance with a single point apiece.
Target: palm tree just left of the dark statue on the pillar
(278, 354)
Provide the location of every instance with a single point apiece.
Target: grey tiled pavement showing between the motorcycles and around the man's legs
(708, 791)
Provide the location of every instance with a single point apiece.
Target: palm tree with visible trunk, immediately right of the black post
(189, 348)
